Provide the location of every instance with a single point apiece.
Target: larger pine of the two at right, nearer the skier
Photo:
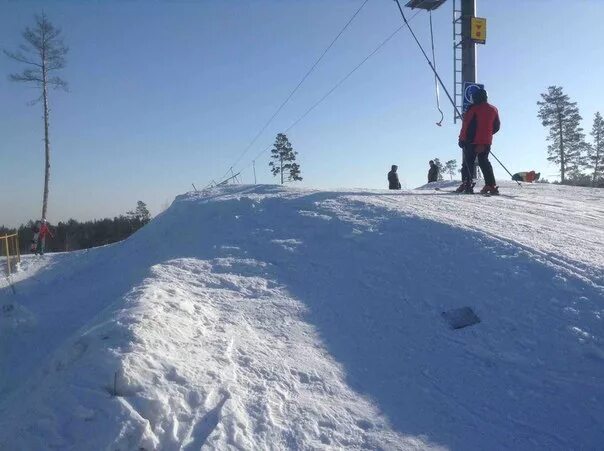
(566, 136)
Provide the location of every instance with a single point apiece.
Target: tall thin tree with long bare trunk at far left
(43, 53)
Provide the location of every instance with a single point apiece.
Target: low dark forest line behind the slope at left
(74, 235)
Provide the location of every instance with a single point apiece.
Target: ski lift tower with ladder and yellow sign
(467, 31)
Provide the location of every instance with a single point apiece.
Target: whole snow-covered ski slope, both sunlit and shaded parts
(263, 317)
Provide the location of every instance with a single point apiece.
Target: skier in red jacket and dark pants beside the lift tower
(480, 123)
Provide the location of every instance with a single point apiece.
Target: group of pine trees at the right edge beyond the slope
(580, 162)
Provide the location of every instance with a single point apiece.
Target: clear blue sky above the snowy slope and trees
(166, 93)
